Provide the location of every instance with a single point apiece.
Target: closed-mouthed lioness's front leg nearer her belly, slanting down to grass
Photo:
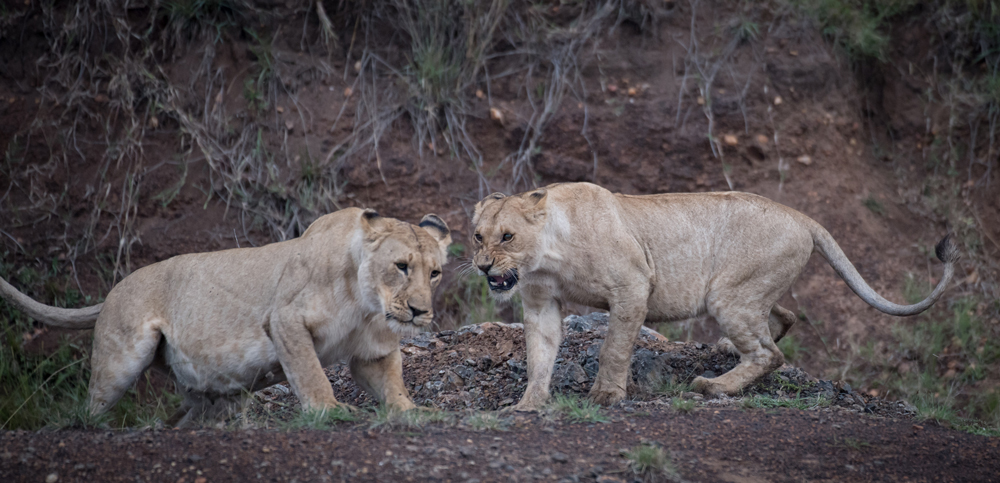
(297, 355)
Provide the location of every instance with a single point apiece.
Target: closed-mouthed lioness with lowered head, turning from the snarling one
(239, 320)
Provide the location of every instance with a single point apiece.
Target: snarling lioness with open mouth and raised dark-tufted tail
(659, 258)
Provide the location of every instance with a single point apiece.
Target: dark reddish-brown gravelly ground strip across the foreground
(726, 444)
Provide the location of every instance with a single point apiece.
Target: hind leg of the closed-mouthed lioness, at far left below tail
(118, 361)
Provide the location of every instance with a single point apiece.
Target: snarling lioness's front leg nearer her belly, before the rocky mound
(624, 324)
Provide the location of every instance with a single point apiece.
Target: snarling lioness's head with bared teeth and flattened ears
(507, 238)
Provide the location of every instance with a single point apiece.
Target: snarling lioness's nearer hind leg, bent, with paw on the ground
(758, 353)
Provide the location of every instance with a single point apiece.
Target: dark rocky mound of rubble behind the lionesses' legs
(483, 367)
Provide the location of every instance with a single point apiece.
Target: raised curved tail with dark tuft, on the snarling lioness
(946, 251)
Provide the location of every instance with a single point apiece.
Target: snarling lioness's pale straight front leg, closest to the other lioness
(542, 334)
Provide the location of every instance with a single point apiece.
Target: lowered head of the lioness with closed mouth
(402, 267)
